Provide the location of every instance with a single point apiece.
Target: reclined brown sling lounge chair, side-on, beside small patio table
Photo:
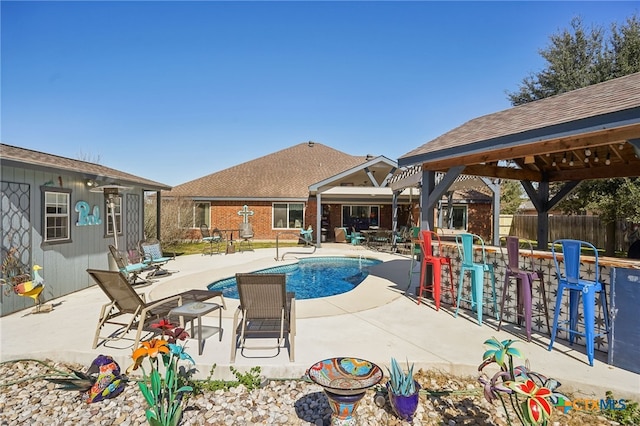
(124, 301)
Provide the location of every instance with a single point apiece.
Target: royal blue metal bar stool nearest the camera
(569, 279)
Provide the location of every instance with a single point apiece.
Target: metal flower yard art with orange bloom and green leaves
(164, 395)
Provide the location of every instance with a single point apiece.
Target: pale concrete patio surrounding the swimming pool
(375, 321)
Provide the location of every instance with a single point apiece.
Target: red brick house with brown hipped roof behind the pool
(308, 184)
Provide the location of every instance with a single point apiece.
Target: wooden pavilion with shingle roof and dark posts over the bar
(589, 133)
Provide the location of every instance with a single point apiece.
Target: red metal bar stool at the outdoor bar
(436, 262)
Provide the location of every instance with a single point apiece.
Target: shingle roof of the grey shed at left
(13, 155)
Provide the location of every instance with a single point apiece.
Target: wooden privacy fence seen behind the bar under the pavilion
(585, 228)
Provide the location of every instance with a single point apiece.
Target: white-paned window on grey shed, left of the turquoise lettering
(57, 216)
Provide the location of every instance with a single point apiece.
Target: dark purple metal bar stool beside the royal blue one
(524, 279)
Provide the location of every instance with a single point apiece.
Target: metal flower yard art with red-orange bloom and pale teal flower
(531, 395)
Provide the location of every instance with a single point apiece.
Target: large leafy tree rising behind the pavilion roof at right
(576, 58)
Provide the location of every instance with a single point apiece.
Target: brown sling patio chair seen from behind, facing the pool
(266, 311)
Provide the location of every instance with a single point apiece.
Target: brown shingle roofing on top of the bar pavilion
(599, 99)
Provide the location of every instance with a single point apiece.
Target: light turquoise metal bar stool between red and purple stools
(477, 271)
